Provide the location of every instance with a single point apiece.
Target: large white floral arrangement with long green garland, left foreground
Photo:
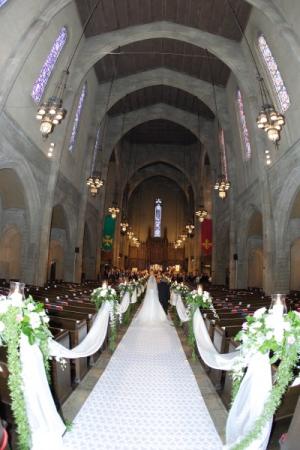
(19, 317)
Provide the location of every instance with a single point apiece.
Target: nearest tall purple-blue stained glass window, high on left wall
(48, 66)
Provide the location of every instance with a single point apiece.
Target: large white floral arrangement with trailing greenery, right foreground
(279, 337)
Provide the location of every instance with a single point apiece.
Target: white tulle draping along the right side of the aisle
(253, 392)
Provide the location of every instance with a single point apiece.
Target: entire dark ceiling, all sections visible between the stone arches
(209, 16)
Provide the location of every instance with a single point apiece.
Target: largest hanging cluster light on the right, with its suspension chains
(268, 119)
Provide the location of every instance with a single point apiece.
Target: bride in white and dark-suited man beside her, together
(155, 305)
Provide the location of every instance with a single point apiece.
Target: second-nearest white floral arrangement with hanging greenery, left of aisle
(101, 295)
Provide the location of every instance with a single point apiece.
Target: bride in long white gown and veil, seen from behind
(151, 310)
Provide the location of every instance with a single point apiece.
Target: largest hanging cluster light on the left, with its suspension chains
(52, 112)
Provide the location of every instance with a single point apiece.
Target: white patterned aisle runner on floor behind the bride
(147, 399)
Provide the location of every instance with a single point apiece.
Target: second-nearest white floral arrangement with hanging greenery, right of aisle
(197, 299)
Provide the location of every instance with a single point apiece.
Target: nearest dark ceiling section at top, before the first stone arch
(212, 16)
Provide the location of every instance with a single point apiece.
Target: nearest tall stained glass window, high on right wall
(280, 89)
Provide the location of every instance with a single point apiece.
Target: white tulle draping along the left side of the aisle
(45, 423)
